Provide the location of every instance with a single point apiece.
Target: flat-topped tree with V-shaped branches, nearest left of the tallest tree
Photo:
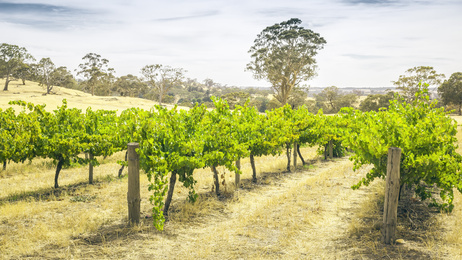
(162, 78)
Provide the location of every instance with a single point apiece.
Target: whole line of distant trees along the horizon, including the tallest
(169, 85)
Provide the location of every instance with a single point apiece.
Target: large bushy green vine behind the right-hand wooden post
(426, 136)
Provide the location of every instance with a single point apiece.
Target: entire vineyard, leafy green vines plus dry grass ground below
(190, 158)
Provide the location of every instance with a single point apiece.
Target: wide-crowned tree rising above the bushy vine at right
(409, 83)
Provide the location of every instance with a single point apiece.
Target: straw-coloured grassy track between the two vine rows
(306, 214)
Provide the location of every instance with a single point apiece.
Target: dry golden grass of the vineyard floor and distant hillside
(310, 214)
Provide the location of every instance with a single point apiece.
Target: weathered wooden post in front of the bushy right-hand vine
(390, 211)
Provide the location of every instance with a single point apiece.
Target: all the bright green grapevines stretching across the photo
(177, 142)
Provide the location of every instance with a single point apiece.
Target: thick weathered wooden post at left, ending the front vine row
(133, 194)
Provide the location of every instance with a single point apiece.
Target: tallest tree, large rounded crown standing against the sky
(284, 55)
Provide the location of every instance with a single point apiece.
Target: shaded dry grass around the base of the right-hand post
(417, 227)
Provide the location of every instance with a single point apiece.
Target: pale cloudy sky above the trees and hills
(369, 42)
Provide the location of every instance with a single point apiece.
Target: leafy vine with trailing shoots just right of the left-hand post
(169, 144)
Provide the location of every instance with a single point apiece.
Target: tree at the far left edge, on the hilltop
(12, 58)
